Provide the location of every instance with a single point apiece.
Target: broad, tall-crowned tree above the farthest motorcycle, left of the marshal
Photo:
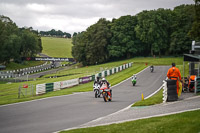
(154, 29)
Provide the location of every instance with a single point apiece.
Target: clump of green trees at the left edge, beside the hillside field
(17, 42)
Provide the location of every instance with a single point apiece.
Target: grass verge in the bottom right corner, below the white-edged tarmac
(187, 122)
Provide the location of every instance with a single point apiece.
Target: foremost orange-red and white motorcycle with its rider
(106, 92)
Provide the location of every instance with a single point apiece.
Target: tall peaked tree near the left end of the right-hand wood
(98, 38)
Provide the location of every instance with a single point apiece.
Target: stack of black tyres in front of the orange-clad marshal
(171, 91)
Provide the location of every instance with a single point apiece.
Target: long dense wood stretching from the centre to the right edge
(161, 32)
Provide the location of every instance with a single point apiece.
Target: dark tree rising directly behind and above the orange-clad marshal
(182, 22)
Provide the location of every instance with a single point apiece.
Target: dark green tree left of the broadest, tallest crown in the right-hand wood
(124, 42)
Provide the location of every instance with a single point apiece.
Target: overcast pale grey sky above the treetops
(75, 15)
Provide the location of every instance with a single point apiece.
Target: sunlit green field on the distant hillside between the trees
(57, 47)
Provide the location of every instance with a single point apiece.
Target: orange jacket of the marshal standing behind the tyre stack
(174, 73)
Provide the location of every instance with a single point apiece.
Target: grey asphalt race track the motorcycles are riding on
(62, 112)
